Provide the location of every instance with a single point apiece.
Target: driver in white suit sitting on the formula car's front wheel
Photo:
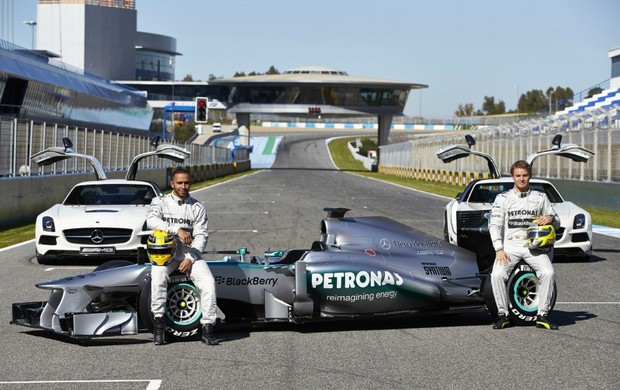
(180, 214)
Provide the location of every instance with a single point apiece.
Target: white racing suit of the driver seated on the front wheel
(171, 213)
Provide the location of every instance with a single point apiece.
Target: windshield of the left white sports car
(110, 194)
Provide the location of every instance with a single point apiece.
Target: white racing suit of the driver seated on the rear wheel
(511, 215)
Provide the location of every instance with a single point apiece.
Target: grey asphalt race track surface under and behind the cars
(281, 208)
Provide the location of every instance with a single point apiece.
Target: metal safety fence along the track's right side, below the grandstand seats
(417, 158)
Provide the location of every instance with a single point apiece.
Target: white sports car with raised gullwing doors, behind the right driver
(466, 217)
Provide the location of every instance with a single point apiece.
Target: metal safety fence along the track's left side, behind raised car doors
(20, 139)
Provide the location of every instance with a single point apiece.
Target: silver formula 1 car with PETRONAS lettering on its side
(361, 267)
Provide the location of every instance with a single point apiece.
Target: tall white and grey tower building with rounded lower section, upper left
(100, 37)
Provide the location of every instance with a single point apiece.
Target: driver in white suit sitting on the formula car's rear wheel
(512, 213)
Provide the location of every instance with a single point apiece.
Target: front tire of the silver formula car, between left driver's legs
(183, 309)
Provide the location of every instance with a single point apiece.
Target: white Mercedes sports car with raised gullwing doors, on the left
(101, 218)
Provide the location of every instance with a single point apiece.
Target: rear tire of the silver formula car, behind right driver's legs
(523, 292)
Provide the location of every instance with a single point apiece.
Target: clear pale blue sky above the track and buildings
(463, 50)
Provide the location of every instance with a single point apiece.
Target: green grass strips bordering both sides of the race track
(344, 161)
